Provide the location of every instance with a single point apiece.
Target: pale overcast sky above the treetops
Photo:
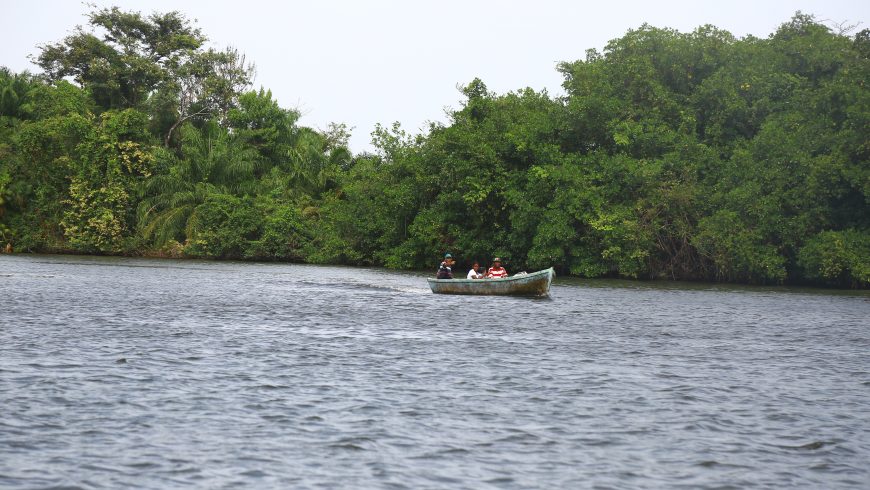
(367, 62)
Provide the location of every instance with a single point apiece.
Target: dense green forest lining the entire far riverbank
(695, 156)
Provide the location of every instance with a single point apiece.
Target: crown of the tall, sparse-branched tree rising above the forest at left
(128, 59)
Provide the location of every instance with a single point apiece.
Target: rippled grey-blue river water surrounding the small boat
(137, 373)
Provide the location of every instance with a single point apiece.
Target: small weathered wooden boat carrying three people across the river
(532, 284)
